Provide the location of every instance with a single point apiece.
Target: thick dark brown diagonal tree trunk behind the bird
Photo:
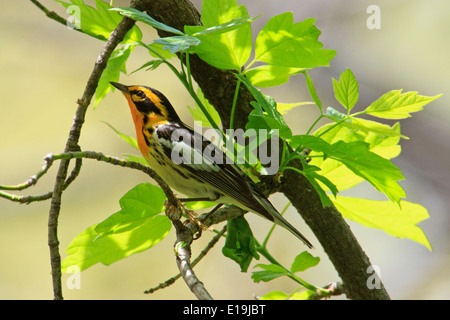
(330, 228)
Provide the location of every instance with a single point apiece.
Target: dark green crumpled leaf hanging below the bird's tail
(240, 245)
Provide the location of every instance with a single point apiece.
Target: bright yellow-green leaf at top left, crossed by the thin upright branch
(100, 22)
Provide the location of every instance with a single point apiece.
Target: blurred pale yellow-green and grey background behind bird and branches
(45, 66)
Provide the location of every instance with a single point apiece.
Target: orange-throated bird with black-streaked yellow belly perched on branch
(164, 140)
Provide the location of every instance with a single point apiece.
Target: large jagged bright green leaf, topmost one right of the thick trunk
(283, 43)
